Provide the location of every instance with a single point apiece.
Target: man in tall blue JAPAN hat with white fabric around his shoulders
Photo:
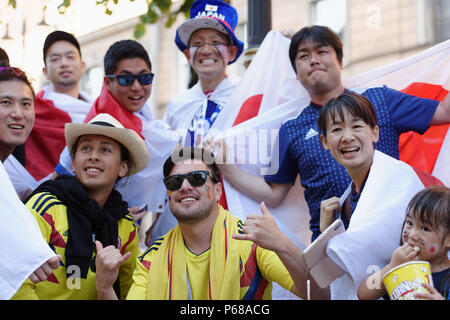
(208, 41)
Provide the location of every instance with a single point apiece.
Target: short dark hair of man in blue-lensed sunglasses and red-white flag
(124, 49)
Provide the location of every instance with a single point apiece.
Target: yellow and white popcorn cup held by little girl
(404, 280)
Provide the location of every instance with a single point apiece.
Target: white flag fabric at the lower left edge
(22, 247)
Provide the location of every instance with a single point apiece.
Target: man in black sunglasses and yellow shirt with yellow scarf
(204, 257)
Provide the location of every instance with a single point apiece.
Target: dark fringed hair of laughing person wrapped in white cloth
(356, 104)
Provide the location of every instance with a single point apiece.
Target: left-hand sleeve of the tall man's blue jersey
(287, 165)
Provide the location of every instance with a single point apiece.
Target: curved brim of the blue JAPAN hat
(185, 31)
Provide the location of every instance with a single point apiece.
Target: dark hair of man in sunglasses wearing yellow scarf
(189, 153)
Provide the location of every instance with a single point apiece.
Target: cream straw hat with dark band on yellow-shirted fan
(106, 125)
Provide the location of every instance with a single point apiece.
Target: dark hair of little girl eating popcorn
(432, 207)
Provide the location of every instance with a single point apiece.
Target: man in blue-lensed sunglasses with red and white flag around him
(126, 89)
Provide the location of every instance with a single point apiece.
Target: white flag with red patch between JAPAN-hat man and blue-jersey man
(268, 81)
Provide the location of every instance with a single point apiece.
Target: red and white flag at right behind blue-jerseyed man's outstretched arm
(425, 75)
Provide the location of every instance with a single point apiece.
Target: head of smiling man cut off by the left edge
(16, 110)
